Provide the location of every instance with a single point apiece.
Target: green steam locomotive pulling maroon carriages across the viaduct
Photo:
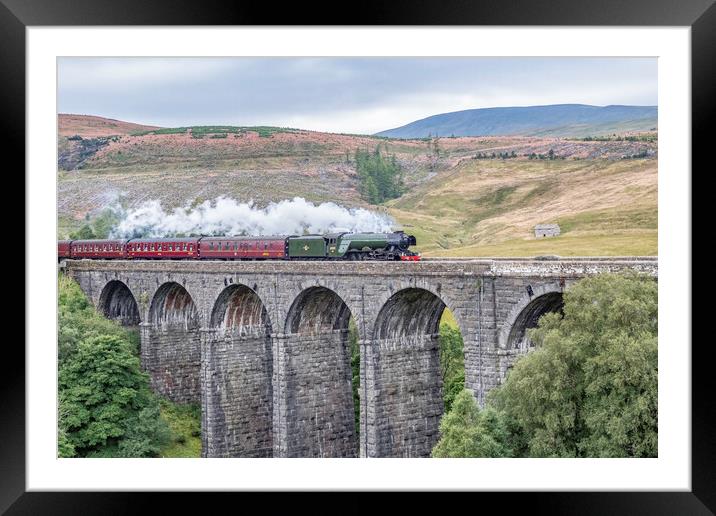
(332, 246)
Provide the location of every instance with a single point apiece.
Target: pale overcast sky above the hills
(349, 95)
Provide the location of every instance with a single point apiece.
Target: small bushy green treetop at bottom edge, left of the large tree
(467, 431)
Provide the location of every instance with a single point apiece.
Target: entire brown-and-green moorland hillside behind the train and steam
(455, 204)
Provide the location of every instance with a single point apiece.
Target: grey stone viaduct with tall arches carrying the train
(264, 347)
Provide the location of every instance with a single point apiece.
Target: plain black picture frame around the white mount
(700, 15)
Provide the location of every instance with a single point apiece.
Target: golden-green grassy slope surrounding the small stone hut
(489, 208)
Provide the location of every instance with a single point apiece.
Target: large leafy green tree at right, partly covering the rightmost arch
(590, 387)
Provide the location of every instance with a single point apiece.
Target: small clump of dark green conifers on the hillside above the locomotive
(380, 176)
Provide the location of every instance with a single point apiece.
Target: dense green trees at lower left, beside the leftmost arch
(106, 407)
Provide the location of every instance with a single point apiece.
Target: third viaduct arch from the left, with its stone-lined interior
(237, 369)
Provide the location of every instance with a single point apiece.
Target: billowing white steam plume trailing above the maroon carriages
(225, 216)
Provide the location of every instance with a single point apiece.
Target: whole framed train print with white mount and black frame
(218, 171)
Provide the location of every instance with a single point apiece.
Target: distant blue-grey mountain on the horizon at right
(563, 120)
